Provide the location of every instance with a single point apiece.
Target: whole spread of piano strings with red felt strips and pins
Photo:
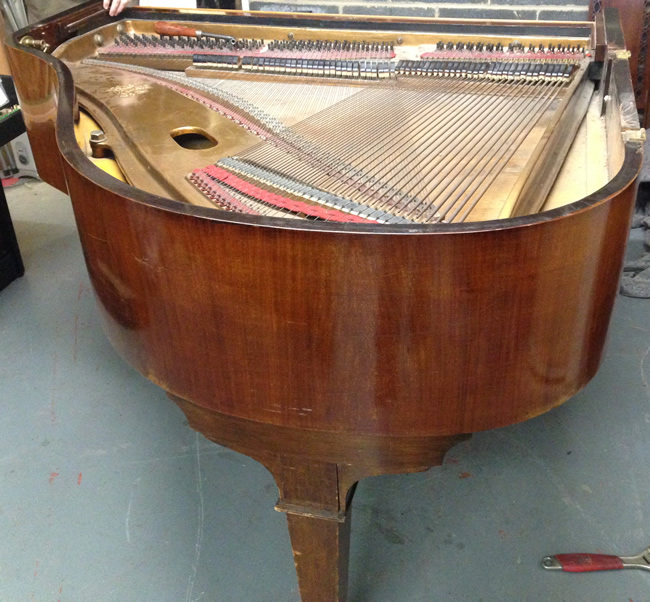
(425, 143)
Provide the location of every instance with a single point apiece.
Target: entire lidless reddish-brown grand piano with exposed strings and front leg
(341, 244)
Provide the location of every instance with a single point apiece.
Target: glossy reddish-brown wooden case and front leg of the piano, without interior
(333, 351)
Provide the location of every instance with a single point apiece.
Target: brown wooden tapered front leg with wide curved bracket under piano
(316, 474)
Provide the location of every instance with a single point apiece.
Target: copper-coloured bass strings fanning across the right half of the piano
(436, 145)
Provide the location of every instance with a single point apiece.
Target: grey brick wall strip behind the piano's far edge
(553, 10)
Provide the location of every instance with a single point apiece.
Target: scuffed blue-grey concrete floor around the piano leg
(107, 495)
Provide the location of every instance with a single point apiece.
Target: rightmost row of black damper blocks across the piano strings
(523, 71)
